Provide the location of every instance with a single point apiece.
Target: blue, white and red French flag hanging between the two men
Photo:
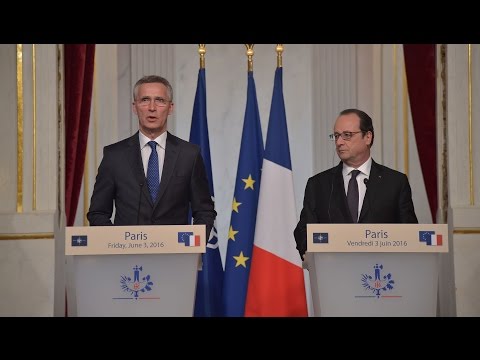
(276, 286)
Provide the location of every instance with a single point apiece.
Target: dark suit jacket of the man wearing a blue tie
(121, 182)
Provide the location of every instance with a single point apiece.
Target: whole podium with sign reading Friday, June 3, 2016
(133, 270)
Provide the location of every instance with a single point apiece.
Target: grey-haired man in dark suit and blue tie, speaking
(152, 177)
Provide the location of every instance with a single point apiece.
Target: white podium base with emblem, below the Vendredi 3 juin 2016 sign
(374, 284)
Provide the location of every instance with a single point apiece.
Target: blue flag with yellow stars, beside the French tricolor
(244, 208)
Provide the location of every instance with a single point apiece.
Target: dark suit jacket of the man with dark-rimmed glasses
(388, 200)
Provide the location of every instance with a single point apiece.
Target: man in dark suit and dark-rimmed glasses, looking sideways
(382, 195)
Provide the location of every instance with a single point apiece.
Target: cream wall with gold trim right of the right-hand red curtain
(463, 114)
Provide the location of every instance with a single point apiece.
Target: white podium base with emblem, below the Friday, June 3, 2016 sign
(132, 285)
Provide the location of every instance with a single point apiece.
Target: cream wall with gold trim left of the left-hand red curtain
(28, 177)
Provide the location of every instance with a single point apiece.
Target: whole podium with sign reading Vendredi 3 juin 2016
(375, 269)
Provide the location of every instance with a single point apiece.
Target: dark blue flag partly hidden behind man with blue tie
(208, 300)
